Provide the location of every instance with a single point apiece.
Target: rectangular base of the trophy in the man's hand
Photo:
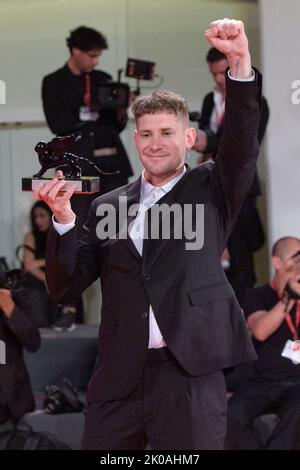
(85, 185)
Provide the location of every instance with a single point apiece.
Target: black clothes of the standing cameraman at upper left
(63, 95)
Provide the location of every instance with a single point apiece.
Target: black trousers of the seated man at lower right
(257, 397)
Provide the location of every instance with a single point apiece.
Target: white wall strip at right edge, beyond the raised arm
(280, 62)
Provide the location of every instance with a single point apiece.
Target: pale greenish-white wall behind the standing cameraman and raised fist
(32, 44)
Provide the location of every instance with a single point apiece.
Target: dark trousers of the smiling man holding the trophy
(167, 409)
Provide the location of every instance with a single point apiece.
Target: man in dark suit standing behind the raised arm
(248, 235)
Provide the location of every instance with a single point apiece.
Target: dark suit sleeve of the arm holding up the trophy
(71, 265)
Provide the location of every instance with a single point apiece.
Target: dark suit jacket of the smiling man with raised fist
(194, 305)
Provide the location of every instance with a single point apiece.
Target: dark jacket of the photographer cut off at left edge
(18, 332)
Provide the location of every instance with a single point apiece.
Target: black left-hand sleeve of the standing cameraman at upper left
(60, 119)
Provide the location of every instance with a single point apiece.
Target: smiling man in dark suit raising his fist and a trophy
(170, 321)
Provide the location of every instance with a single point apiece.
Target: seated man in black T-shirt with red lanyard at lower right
(273, 316)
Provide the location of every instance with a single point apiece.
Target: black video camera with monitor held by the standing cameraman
(115, 95)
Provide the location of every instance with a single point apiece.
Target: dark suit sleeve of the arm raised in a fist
(238, 152)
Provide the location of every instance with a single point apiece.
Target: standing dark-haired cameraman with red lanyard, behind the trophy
(69, 96)
